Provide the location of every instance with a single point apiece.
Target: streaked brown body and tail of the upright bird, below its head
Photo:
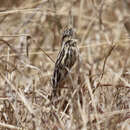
(65, 61)
